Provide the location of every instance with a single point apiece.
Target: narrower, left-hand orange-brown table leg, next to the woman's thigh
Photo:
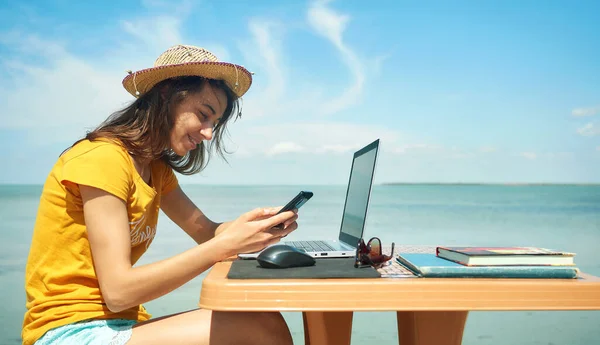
(327, 328)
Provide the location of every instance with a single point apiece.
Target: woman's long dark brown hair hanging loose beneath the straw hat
(144, 126)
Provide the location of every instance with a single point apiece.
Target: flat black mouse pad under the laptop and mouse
(323, 268)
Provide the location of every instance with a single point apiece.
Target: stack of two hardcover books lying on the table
(491, 262)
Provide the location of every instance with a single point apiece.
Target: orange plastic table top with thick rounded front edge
(396, 294)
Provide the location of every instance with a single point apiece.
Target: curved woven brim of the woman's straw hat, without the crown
(237, 78)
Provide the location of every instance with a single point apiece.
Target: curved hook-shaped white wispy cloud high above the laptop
(331, 25)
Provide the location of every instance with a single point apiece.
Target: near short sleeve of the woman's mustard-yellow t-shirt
(105, 167)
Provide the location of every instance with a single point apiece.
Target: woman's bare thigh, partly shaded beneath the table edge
(204, 327)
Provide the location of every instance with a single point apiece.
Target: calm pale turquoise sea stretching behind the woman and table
(563, 217)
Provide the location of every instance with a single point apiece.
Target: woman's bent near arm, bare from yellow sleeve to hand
(123, 286)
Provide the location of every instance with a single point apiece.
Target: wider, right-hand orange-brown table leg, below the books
(431, 327)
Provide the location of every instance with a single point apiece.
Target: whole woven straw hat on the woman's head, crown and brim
(186, 60)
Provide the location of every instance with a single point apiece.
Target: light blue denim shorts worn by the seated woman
(90, 332)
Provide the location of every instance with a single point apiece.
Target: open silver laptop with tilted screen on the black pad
(354, 214)
